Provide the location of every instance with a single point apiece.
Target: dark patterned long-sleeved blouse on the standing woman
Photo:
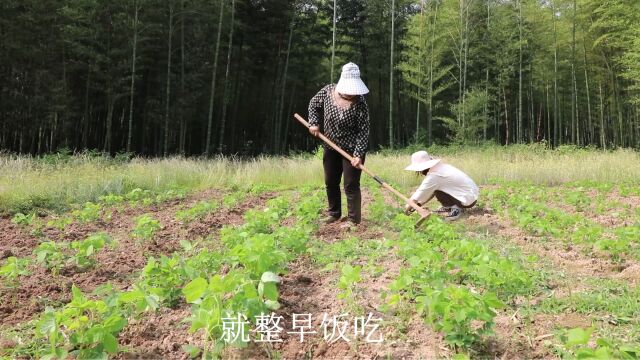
(348, 128)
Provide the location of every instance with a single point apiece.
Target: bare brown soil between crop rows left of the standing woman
(118, 265)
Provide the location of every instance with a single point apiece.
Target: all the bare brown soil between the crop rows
(304, 289)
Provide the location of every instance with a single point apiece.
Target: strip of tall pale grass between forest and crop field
(54, 182)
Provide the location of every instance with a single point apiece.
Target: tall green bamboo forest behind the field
(194, 77)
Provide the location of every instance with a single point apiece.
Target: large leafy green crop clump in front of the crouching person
(439, 263)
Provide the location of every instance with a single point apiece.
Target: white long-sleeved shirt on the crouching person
(449, 179)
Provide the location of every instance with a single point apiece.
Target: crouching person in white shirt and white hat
(454, 189)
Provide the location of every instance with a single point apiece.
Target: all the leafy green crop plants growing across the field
(457, 284)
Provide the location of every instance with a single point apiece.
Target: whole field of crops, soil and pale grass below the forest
(179, 258)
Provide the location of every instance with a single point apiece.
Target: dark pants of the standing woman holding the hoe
(334, 166)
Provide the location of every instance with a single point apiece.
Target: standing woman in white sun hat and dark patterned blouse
(343, 115)
